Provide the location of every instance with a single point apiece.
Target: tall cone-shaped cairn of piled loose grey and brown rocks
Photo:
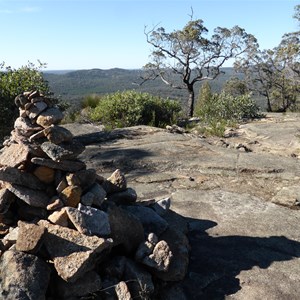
(69, 233)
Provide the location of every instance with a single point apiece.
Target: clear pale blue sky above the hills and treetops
(85, 34)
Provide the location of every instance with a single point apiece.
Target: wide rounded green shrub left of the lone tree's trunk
(129, 108)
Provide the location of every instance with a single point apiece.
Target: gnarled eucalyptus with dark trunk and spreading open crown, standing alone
(184, 57)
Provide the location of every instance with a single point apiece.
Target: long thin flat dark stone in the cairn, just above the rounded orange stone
(66, 165)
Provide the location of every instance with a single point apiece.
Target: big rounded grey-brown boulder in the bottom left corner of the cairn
(23, 276)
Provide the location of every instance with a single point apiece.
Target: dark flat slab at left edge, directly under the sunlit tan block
(15, 176)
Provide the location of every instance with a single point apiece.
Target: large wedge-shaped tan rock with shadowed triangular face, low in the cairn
(73, 253)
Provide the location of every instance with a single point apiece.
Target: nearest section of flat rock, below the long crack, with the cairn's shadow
(241, 246)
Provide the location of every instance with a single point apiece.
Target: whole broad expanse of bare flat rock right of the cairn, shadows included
(243, 246)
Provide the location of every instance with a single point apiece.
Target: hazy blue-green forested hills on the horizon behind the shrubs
(73, 86)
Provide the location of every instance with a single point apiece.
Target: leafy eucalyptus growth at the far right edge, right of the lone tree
(275, 73)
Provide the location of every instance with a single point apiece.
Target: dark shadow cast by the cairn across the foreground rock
(215, 262)
